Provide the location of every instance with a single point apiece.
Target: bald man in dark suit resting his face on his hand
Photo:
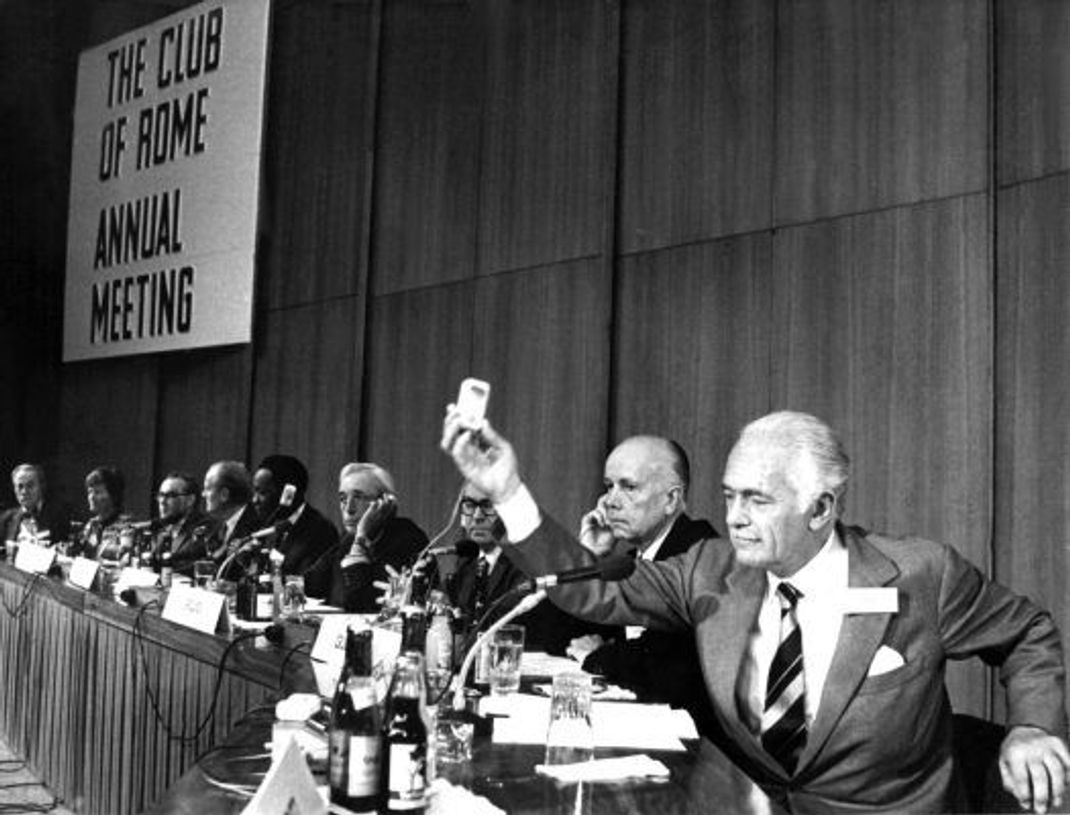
(643, 514)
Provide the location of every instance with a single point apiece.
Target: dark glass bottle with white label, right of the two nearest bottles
(405, 737)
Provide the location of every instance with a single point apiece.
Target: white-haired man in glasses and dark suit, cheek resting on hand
(375, 539)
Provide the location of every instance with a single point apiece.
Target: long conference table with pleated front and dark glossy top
(120, 712)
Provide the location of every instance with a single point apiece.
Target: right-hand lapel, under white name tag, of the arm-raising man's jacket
(861, 636)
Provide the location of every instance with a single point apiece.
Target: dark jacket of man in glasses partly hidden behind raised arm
(546, 627)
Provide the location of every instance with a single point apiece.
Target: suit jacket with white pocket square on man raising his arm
(880, 743)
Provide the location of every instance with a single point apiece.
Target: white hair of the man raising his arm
(820, 465)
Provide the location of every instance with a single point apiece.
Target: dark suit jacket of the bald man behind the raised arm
(663, 666)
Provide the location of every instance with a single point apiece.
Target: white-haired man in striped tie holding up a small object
(823, 645)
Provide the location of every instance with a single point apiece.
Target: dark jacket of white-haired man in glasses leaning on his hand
(351, 589)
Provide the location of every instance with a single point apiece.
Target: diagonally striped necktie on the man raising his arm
(784, 719)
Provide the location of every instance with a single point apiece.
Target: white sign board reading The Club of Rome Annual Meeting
(165, 178)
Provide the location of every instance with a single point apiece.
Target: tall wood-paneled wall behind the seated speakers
(630, 216)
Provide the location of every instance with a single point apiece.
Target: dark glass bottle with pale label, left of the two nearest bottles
(356, 731)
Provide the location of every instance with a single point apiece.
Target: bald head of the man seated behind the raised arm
(646, 479)
